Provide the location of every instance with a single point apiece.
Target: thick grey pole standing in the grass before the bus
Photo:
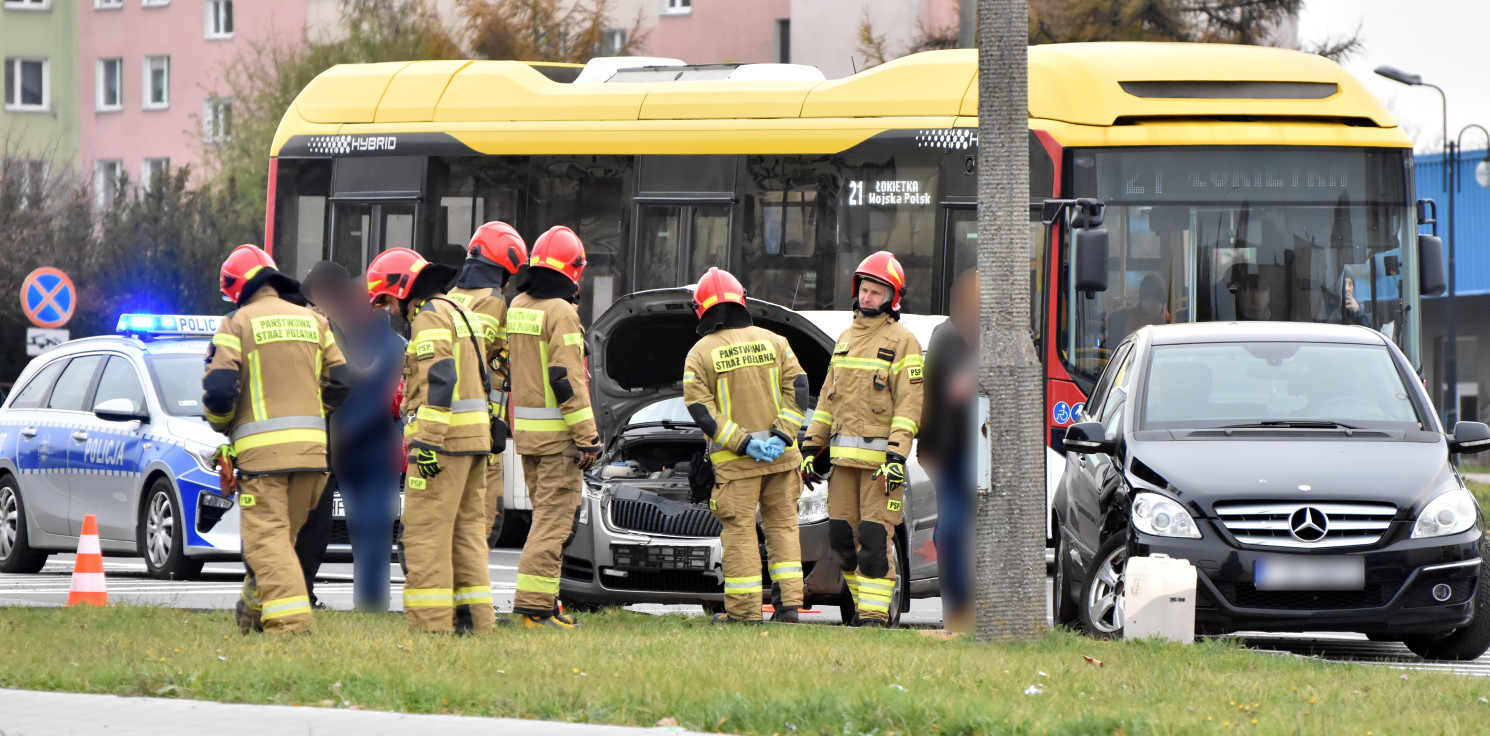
(1009, 585)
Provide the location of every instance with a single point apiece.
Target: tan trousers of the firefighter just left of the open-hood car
(555, 486)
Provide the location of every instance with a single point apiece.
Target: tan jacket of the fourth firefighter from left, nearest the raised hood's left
(551, 385)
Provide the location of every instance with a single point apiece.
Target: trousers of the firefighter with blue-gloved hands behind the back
(734, 504)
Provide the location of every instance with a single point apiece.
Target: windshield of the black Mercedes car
(1276, 385)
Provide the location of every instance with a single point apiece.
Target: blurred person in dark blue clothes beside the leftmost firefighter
(366, 439)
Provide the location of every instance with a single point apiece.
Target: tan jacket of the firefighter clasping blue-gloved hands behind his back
(740, 384)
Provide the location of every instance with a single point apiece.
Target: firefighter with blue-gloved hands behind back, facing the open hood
(744, 388)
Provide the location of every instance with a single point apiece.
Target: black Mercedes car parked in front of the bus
(1302, 469)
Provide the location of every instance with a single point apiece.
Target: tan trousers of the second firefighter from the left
(449, 585)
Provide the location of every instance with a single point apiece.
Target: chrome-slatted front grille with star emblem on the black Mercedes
(1299, 525)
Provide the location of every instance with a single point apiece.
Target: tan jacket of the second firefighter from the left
(445, 403)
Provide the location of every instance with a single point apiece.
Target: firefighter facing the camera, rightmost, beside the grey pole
(865, 421)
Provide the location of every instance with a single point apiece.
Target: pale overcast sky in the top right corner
(1445, 41)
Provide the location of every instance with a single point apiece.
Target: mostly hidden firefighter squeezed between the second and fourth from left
(495, 254)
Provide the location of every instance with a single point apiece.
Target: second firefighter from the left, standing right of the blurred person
(448, 586)
